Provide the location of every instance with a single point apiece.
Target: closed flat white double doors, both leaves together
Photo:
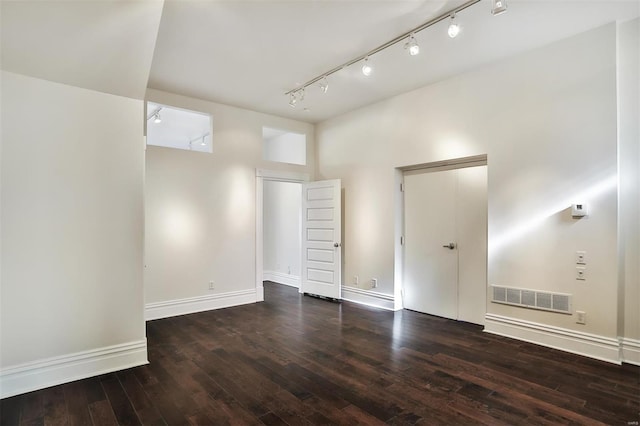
(445, 251)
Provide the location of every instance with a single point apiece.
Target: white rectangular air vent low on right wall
(533, 299)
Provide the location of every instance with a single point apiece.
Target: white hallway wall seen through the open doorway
(282, 204)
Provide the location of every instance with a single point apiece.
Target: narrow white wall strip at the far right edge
(629, 155)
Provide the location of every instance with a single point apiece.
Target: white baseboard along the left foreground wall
(68, 368)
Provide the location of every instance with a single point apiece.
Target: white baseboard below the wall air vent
(590, 345)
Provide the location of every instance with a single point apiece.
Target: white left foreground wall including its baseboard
(72, 222)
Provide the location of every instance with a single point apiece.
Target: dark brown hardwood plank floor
(301, 361)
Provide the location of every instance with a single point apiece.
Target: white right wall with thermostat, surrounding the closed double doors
(547, 121)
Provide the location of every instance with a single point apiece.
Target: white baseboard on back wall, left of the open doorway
(172, 308)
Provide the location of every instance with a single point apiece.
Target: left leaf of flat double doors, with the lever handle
(430, 268)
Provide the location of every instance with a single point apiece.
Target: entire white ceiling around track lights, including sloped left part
(248, 53)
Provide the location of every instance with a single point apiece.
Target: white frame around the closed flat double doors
(452, 164)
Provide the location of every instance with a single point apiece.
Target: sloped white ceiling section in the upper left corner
(100, 45)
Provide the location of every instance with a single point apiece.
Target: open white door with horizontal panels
(322, 238)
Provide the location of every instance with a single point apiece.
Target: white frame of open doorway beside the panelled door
(263, 175)
